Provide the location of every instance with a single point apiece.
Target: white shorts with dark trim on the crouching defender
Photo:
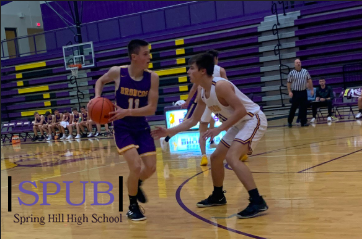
(247, 132)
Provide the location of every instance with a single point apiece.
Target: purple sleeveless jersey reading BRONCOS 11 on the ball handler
(133, 94)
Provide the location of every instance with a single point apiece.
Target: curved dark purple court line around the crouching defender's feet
(183, 206)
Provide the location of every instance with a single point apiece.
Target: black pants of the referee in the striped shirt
(299, 99)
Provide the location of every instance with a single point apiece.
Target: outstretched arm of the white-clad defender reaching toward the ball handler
(185, 125)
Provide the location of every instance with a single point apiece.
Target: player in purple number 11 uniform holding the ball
(136, 97)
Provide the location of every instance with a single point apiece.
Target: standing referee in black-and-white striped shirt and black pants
(298, 79)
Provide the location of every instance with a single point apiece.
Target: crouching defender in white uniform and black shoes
(245, 124)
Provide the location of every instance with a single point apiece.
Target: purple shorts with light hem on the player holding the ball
(134, 136)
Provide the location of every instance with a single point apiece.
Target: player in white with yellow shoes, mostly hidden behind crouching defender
(206, 117)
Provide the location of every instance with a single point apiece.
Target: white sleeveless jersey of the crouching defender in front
(225, 112)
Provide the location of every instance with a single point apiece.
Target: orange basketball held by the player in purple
(99, 110)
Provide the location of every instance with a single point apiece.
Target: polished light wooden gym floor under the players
(311, 179)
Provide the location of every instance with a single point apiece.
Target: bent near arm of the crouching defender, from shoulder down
(225, 91)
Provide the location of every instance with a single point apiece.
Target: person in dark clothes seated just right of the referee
(324, 97)
